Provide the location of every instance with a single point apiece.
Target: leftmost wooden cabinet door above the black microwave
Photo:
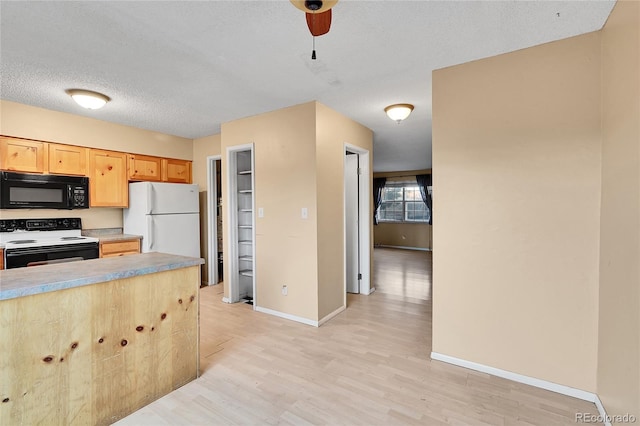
(23, 155)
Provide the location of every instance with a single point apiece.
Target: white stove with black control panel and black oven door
(31, 242)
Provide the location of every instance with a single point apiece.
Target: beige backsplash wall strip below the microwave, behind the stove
(91, 218)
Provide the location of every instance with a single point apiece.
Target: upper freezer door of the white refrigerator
(168, 198)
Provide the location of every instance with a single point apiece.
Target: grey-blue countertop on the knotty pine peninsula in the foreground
(21, 282)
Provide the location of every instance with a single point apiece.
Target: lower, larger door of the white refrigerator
(174, 234)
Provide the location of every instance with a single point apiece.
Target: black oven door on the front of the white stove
(35, 256)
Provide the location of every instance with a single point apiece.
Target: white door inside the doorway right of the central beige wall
(351, 222)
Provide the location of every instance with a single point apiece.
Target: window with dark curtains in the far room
(402, 202)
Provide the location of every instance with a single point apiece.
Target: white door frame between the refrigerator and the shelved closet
(212, 218)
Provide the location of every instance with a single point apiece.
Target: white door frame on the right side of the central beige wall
(364, 219)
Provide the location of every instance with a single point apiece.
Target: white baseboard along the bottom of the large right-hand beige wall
(532, 381)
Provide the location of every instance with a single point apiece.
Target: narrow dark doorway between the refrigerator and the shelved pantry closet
(214, 220)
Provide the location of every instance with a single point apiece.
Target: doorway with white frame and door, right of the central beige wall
(357, 221)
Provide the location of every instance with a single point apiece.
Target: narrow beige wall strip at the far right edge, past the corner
(619, 331)
